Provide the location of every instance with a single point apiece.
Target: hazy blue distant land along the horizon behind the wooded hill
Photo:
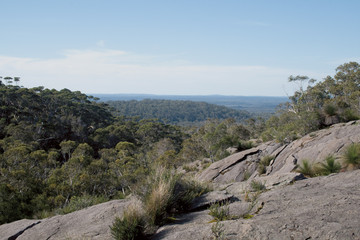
(252, 104)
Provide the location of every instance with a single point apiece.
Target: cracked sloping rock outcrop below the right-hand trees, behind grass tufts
(314, 147)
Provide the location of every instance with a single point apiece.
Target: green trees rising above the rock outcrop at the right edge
(309, 107)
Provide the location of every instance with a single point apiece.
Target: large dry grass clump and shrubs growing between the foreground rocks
(162, 195)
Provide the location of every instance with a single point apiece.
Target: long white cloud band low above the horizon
(114, 71)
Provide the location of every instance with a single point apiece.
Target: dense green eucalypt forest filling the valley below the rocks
(63, 148)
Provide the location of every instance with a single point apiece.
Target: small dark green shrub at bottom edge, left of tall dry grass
(131, 226)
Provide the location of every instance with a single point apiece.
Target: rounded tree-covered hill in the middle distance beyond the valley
(176, 111)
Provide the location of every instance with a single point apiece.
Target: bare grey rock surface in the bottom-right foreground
(317, 208)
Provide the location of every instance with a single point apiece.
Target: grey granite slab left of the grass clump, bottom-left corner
(91, 223)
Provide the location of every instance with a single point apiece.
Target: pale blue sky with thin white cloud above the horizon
(171, 47)
